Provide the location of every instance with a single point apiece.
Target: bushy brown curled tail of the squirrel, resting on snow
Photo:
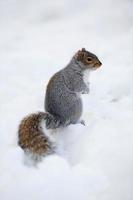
(31, 137)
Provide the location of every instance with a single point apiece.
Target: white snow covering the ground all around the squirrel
(37, 38)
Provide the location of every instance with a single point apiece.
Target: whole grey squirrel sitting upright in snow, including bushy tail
(63, 105)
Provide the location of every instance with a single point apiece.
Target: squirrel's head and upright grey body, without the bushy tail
(64, 89)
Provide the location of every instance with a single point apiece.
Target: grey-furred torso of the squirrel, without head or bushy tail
(63, 99)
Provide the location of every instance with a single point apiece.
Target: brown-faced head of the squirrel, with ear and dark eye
(88, 59)
